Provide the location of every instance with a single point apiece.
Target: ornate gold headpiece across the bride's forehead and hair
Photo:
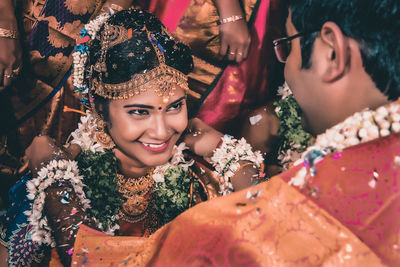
(163, 78)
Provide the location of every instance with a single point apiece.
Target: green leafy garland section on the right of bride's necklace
(172, 197)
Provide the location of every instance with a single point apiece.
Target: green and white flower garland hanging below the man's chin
(294, 140)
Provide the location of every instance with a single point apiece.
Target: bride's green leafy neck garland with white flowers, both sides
(99, 169)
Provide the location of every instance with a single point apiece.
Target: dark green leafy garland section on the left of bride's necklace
(99, 170)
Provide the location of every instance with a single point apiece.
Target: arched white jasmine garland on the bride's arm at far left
(56, 170)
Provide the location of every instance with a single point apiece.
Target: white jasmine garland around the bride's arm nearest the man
(226, 159)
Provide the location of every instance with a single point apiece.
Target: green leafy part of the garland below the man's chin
(291, 131)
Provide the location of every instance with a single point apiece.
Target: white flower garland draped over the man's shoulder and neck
(359, 128)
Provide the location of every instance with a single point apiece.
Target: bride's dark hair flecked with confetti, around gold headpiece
(136, 55)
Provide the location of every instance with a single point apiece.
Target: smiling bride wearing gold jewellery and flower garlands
(126, 171)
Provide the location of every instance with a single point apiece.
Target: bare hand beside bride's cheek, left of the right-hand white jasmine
(201, 138)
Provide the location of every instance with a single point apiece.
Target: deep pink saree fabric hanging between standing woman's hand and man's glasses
(246, 85)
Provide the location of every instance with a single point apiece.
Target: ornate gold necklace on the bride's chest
(136, 194)
